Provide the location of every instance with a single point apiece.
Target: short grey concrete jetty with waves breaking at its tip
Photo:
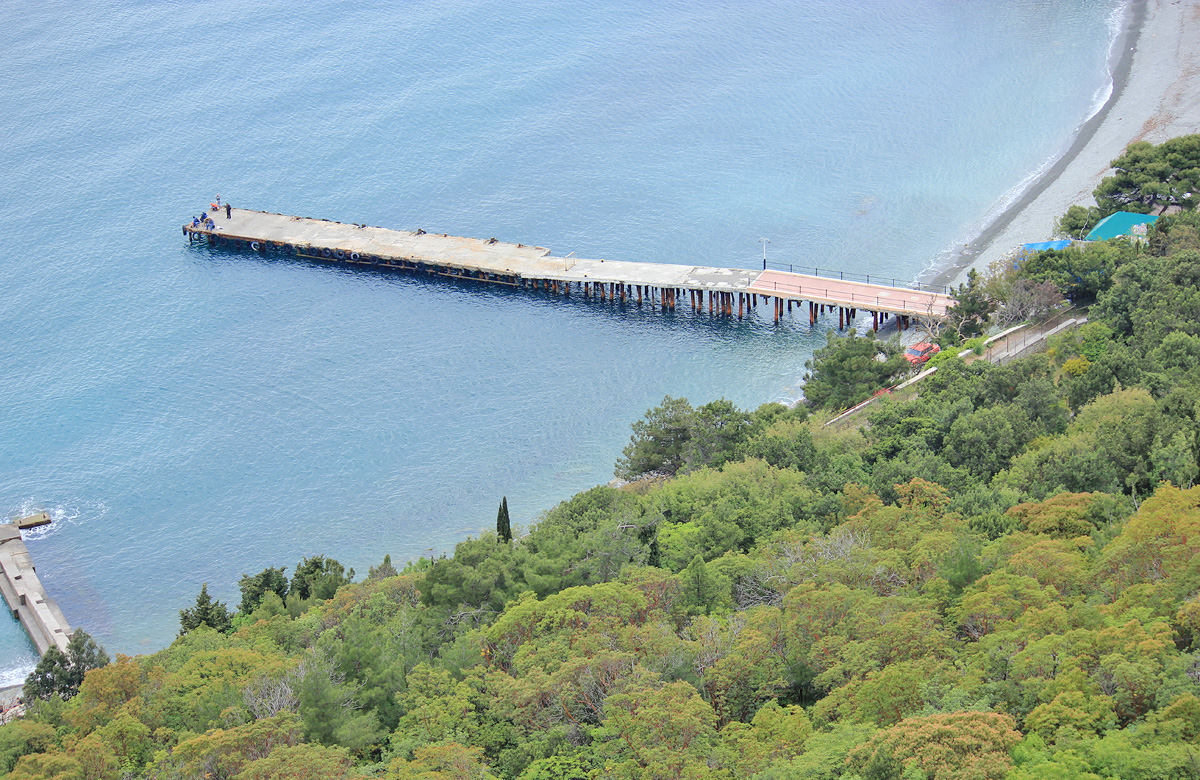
(23, 591)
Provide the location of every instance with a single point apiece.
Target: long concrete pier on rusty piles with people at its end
(730, 292)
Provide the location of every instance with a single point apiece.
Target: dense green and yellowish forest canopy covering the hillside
(995, 579)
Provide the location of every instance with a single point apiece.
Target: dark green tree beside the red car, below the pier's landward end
(849, 370)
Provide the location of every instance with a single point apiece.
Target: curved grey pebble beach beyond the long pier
(1156, 95)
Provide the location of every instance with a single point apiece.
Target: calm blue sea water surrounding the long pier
(190, 416)
